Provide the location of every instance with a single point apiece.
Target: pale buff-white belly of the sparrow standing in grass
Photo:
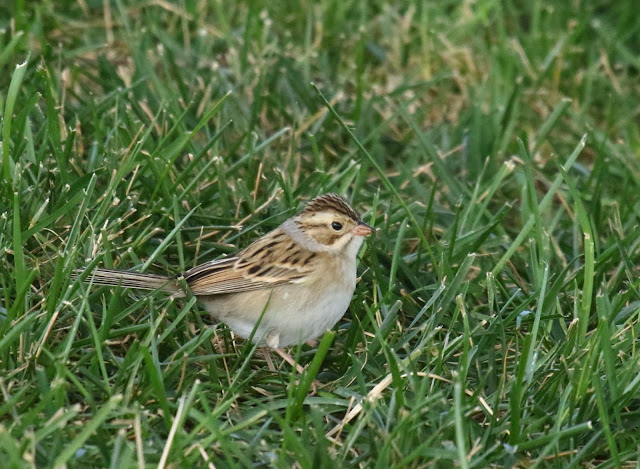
(287, 315)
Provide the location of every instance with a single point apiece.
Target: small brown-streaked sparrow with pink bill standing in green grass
(296, 281)
